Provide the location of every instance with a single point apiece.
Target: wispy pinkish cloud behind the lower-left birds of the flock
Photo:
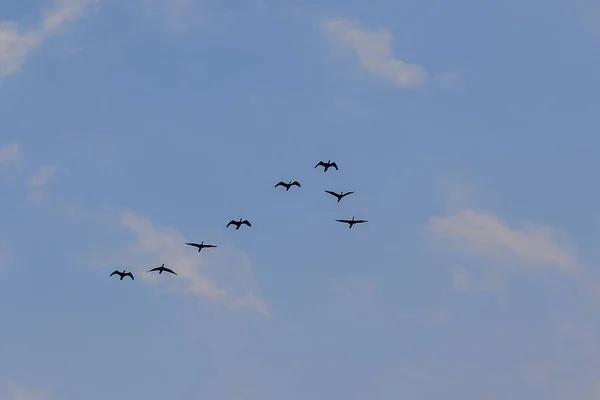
(156, 245)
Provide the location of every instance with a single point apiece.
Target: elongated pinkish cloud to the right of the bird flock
(485, 234)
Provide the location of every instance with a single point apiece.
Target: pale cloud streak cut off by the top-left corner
(16, 45)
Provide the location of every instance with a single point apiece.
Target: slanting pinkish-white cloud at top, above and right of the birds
(374, 51)
